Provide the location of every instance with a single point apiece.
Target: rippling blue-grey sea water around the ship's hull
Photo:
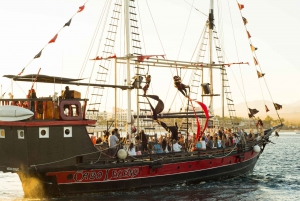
(276, 177)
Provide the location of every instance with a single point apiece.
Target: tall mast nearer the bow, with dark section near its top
(211, 27)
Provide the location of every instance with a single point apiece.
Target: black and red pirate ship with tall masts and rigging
(51, 150)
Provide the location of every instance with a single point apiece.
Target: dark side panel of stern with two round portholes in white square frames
(59, 146)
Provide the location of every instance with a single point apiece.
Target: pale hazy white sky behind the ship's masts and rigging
(27, 26)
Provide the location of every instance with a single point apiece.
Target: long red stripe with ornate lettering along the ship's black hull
(145, 171)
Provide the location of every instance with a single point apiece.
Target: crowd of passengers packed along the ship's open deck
(143, 144)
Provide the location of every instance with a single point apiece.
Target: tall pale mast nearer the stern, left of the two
(127, 43)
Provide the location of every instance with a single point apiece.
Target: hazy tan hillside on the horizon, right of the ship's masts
(289, 112)
